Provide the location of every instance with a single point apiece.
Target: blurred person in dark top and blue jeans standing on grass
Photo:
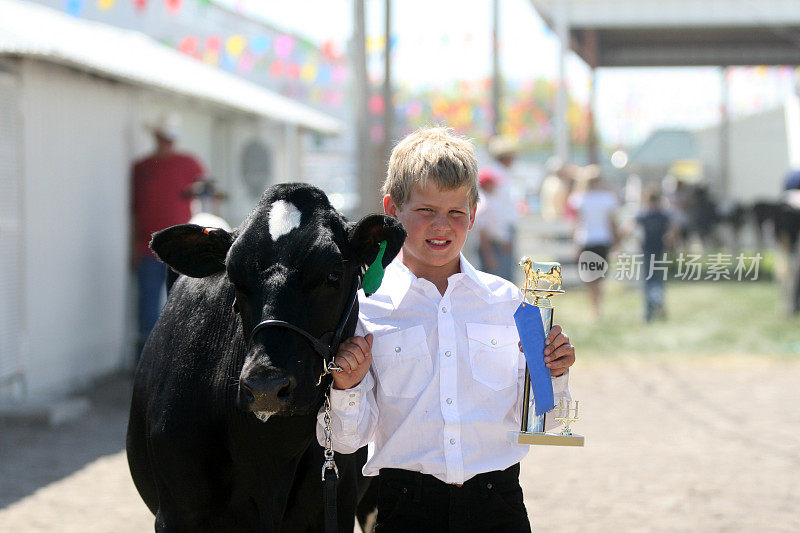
(659, 234)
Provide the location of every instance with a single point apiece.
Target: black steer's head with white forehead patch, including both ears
(294, 259)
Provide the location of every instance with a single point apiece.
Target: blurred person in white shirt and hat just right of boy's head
(496, 218)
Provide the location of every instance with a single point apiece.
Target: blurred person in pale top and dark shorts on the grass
(595, 228)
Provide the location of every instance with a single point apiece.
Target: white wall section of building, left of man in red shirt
(76, 220)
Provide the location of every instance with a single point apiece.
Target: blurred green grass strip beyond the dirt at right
(703, 318)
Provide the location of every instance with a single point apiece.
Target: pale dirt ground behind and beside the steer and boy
(672, 445)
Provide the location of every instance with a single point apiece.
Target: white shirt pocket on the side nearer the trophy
(493, 354)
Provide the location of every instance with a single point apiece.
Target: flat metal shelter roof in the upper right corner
(622, 33)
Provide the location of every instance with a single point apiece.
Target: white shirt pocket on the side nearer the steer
(402, 362)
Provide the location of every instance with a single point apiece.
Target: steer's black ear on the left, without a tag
(192, 250)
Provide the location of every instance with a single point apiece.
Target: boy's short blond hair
(435, 155)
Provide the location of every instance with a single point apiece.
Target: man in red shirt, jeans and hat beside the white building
(160, 200)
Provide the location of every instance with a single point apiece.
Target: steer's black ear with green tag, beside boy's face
(365, 237)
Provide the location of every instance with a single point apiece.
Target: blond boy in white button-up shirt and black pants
(433, 376)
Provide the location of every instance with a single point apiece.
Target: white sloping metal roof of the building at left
(29, 30)
